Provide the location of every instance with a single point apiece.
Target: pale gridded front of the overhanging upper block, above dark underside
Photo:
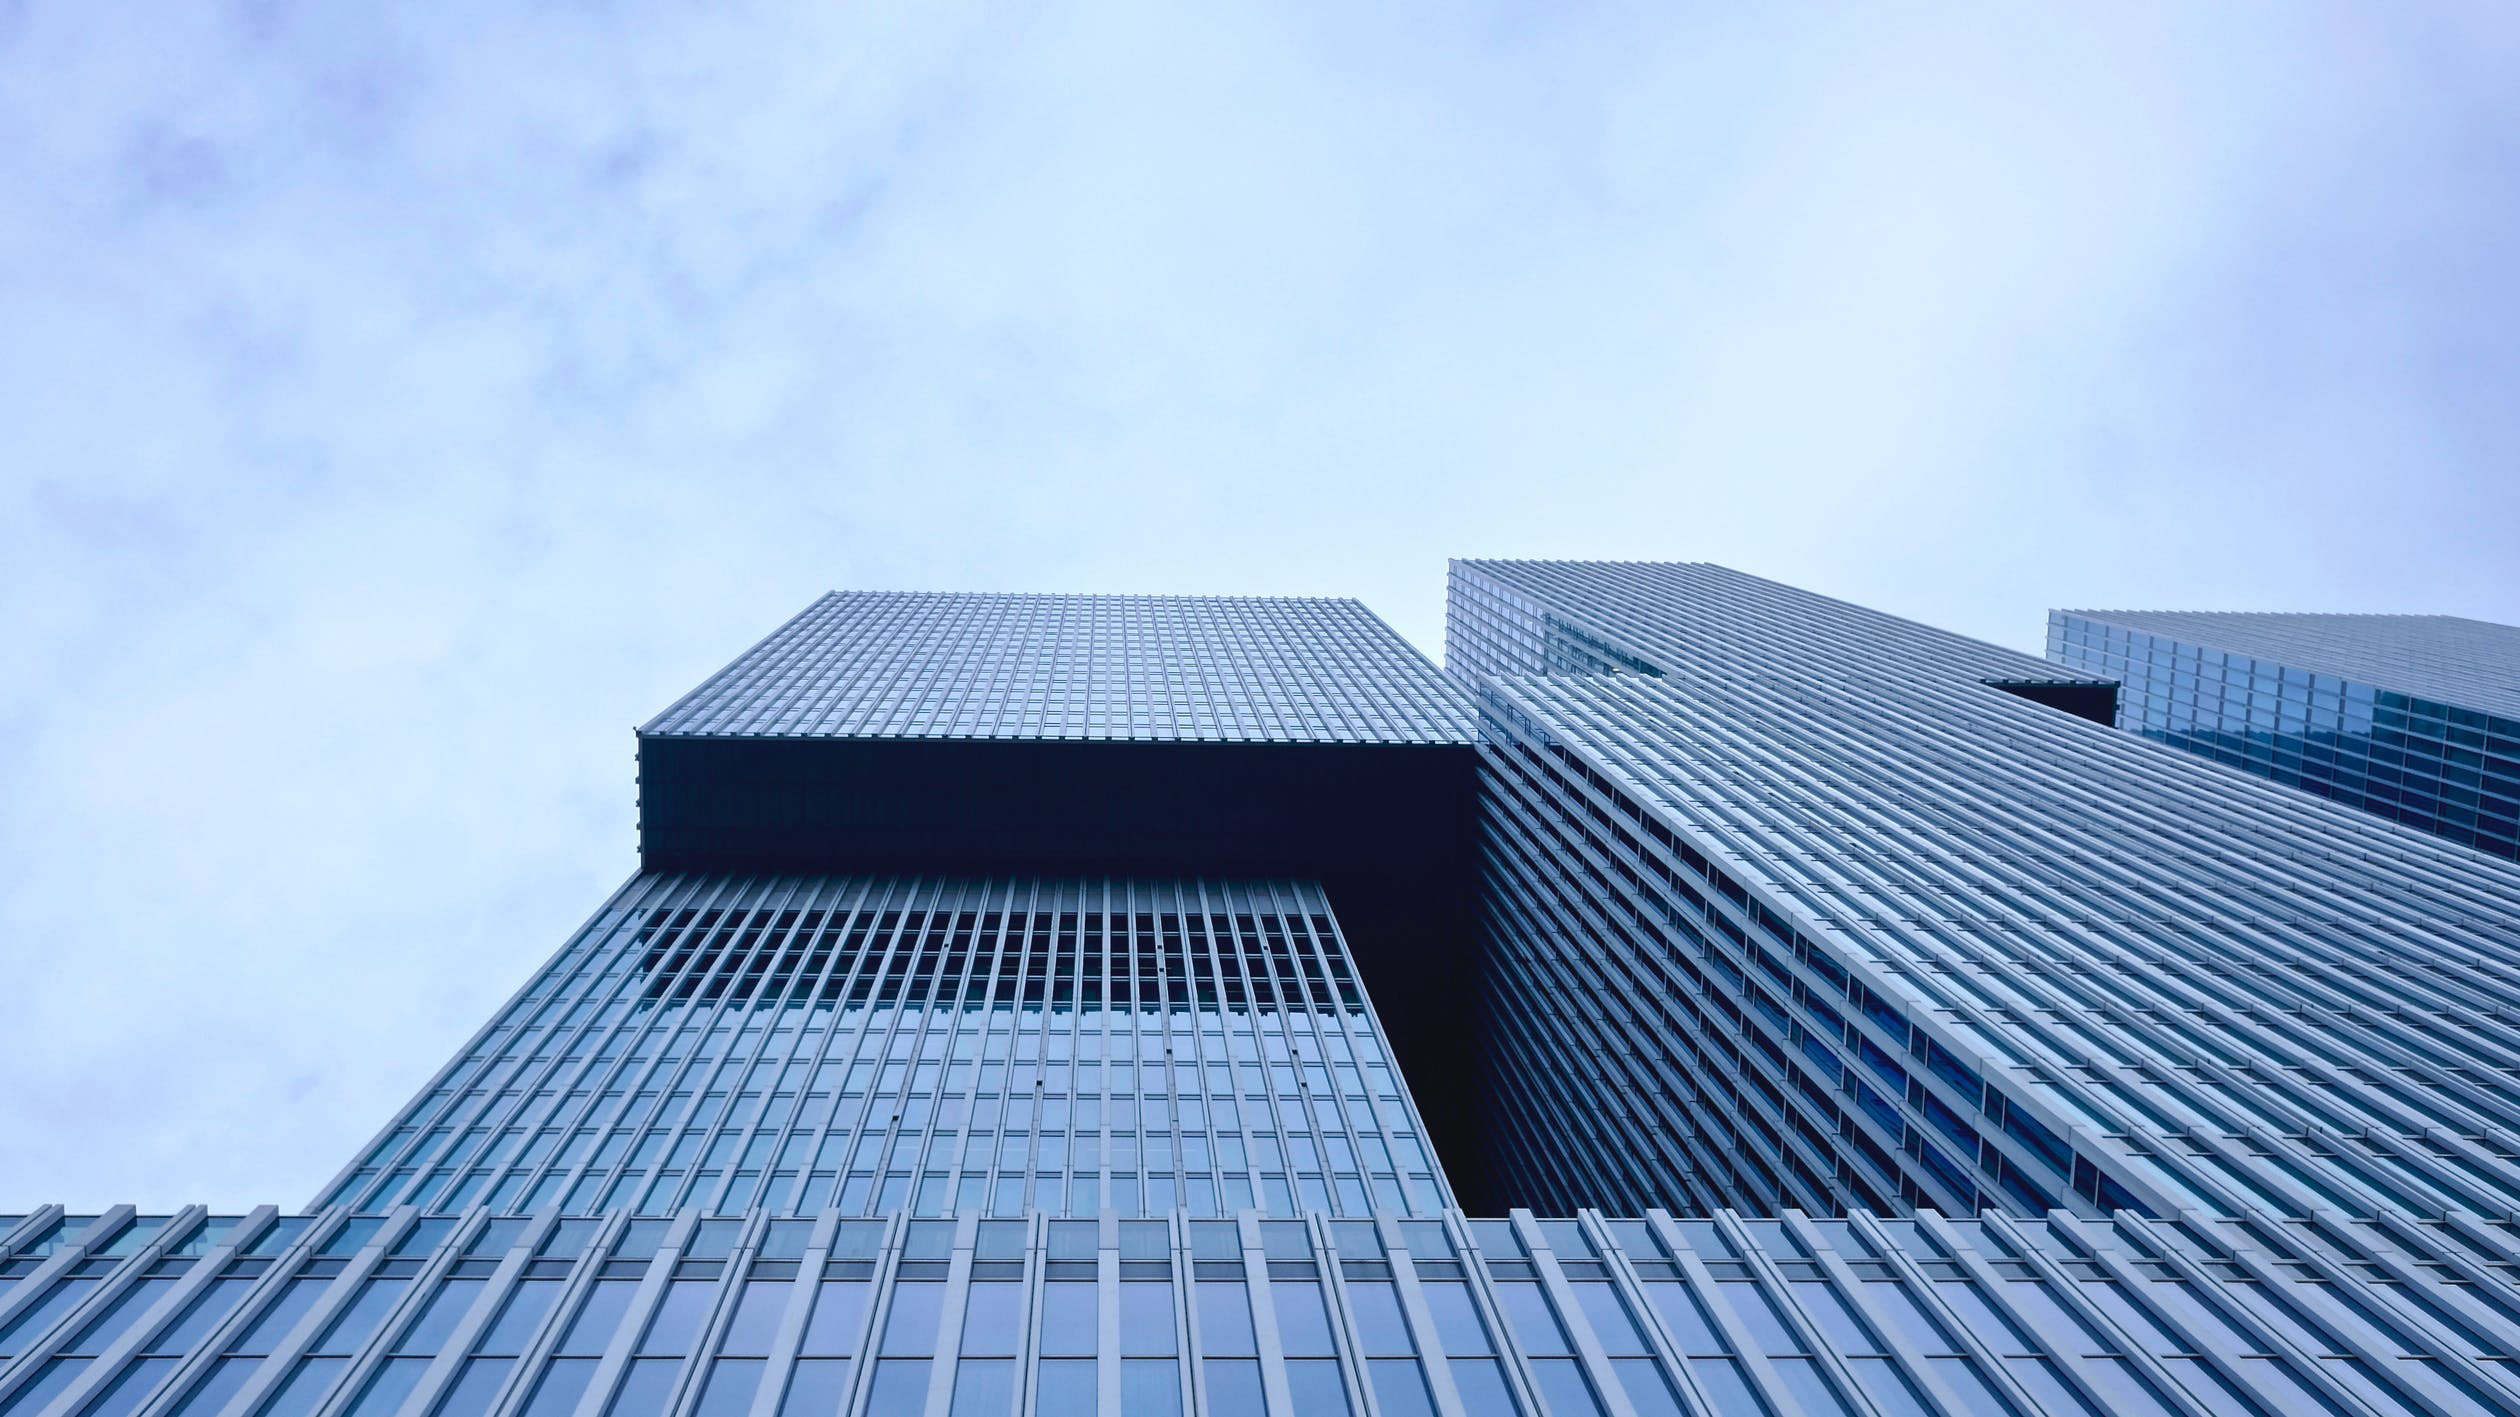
(1213, 669)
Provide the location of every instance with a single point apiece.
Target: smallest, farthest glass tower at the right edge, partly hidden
(2413, 717)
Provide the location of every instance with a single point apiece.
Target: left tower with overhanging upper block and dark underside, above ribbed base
(1092, 969)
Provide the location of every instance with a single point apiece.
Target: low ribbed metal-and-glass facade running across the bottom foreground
(1241, 1317)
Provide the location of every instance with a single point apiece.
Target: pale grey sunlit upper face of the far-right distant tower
(2471, 664)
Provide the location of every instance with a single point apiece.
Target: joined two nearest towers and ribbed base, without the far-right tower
(1055, 1007)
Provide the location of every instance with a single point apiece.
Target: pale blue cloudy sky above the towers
(402, 402)
